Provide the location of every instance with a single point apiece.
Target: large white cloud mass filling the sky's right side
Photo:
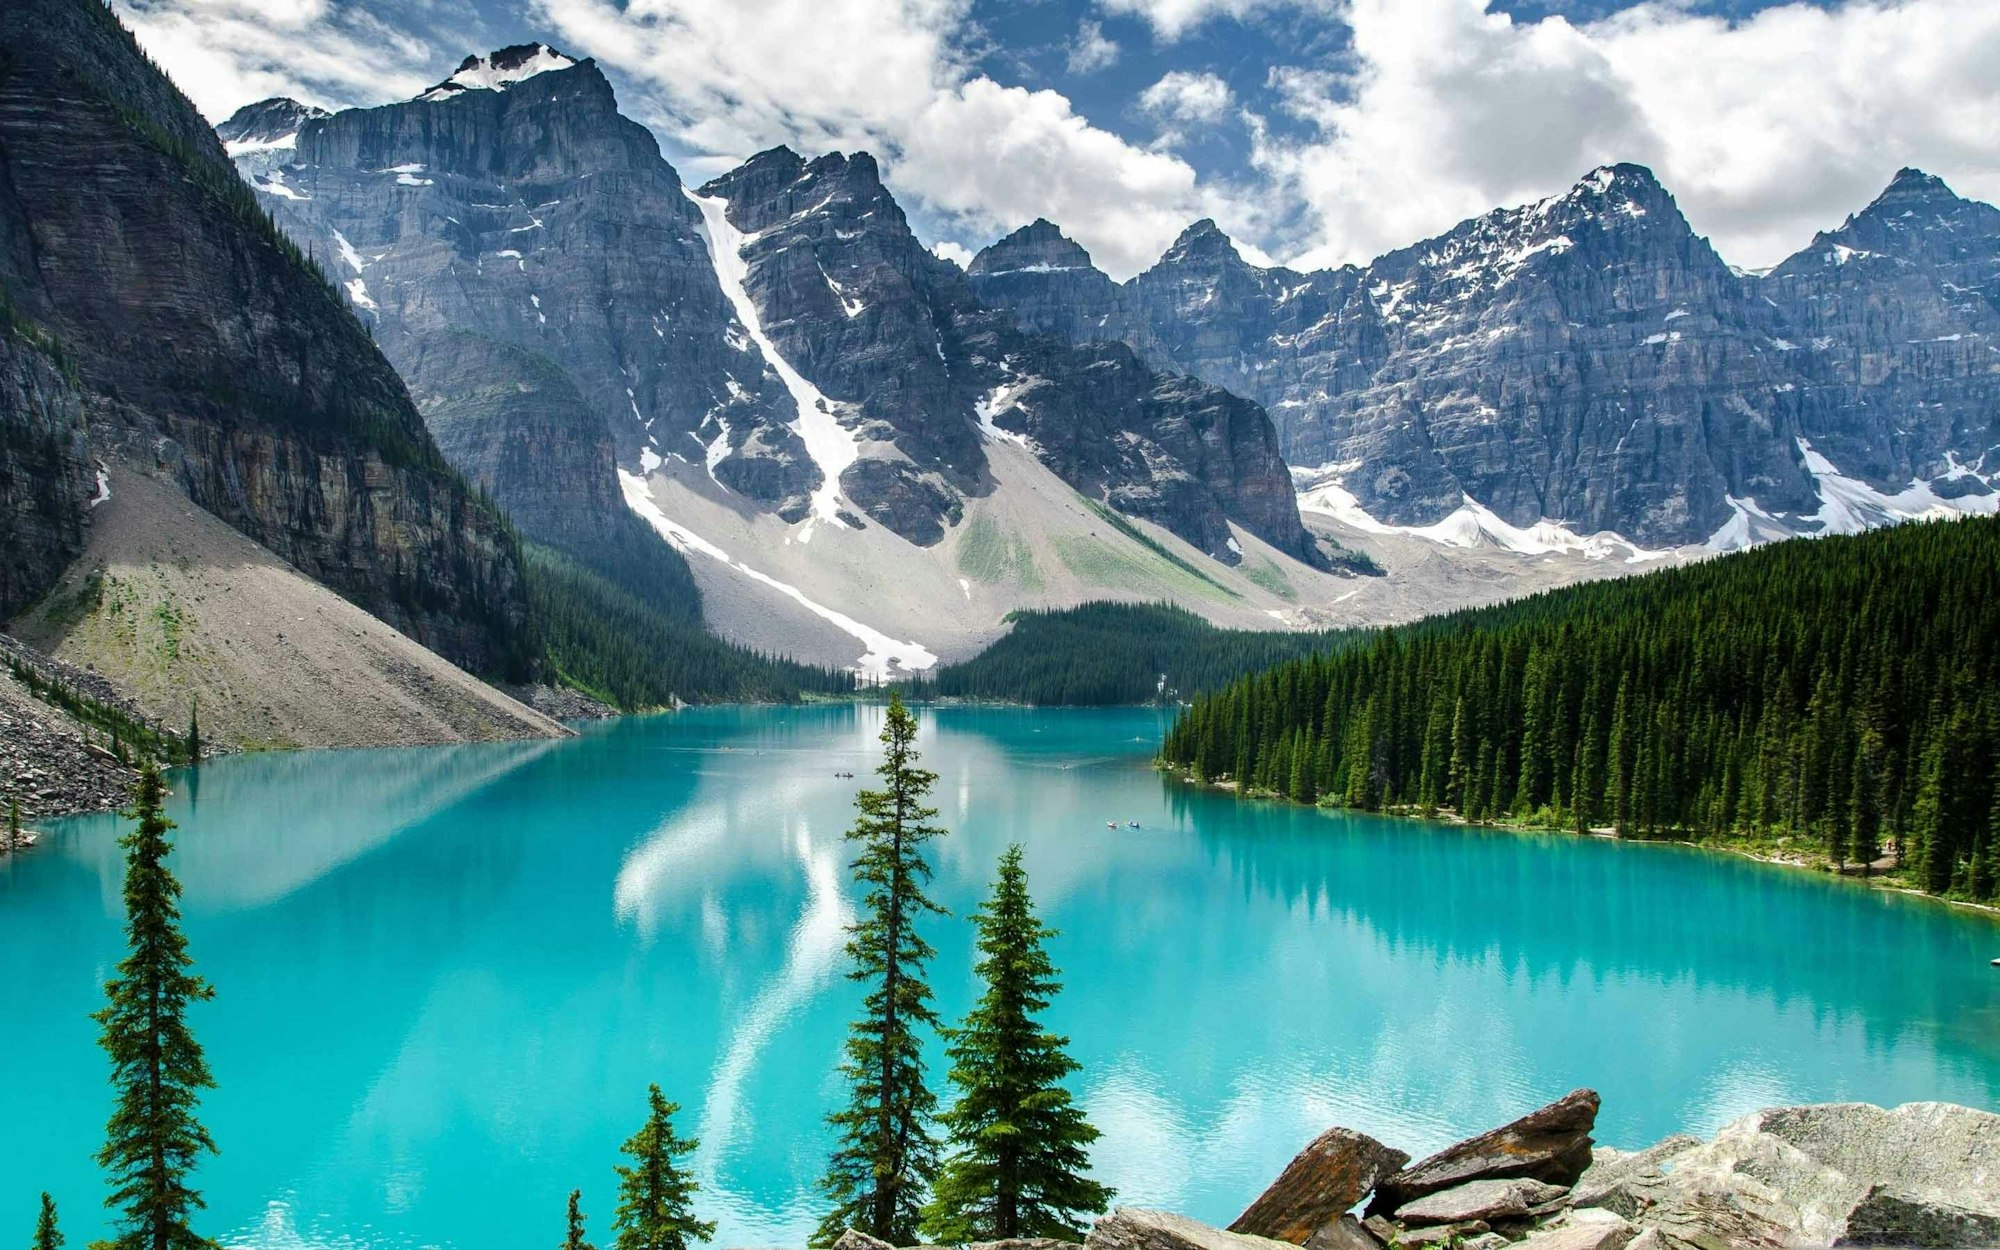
(1765, 129)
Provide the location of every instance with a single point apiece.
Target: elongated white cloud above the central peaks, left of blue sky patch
(731, 79)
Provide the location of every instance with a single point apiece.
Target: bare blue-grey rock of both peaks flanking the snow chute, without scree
(783, 329)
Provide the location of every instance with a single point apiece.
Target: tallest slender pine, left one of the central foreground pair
(887, 1155)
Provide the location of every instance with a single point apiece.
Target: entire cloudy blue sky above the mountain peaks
(1313, 131)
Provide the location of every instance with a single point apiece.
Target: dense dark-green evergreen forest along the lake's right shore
(1839, 693)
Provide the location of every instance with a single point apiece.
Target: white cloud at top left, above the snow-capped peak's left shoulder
(229, 53)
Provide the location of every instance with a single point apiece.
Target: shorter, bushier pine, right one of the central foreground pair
(1019, 1143)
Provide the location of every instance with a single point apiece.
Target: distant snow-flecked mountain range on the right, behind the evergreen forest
(1581, 373)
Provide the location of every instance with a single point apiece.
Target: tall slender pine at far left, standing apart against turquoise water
(153, 1139)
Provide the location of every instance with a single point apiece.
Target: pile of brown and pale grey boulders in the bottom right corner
(1837, 1175)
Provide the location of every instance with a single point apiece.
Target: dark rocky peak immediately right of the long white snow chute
(917, 375)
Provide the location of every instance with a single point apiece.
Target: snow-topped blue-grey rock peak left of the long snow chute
(537, 273)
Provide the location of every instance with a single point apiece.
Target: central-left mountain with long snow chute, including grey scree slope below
(773, 371)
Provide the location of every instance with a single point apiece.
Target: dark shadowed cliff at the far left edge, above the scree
(193, 335)
